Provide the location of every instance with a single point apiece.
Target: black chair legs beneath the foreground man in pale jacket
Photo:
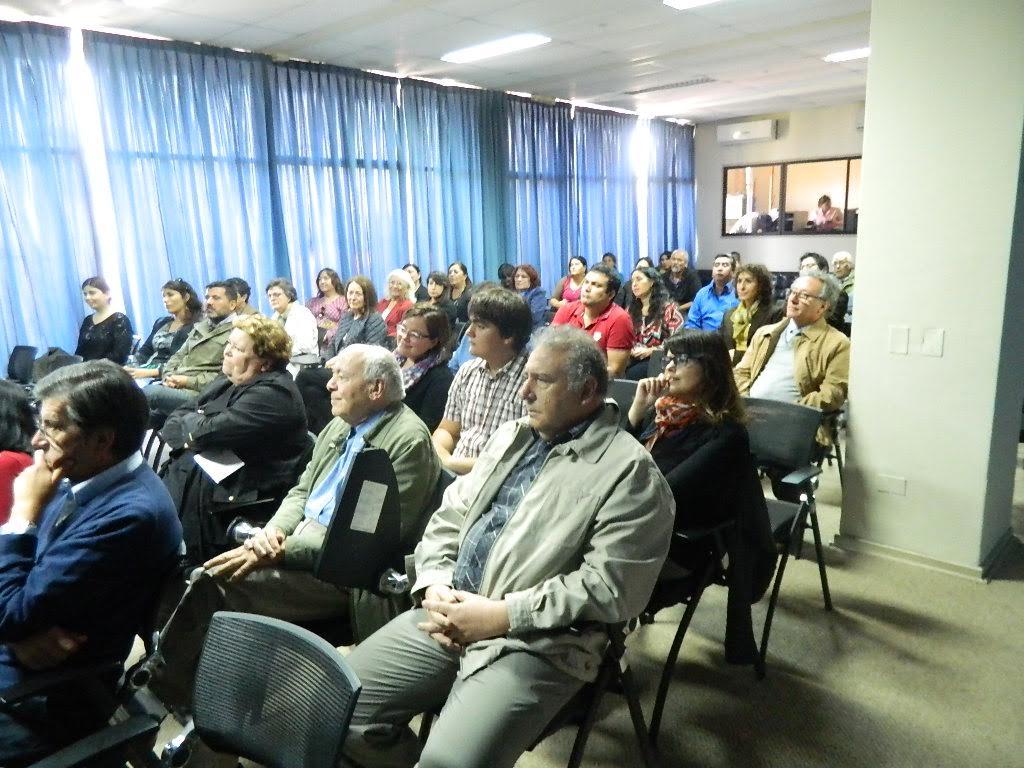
(614, 674)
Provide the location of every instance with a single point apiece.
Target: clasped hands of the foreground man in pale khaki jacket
(456, 619)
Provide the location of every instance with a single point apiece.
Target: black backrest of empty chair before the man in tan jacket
(782, 434)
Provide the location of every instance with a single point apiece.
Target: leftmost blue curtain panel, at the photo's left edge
(47, 237)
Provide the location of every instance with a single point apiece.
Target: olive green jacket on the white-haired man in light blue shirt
(403, 435)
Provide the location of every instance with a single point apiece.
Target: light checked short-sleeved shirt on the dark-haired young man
(481, 402)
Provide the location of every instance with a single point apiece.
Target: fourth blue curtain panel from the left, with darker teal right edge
(456, 189)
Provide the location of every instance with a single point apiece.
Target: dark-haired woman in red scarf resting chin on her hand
(691, 417)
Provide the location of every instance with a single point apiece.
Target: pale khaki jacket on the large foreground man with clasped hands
(584, 548)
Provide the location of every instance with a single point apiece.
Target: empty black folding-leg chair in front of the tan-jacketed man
(783, 441)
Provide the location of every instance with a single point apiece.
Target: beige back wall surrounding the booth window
(809, 135)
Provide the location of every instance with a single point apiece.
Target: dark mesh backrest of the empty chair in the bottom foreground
(273, 693)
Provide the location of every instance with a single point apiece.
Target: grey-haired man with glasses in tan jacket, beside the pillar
(801, 359)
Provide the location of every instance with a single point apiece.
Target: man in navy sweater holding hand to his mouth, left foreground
(92, 536)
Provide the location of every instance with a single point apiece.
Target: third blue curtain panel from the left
(337, 145)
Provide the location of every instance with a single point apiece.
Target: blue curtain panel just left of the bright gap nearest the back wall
(606, 186)
